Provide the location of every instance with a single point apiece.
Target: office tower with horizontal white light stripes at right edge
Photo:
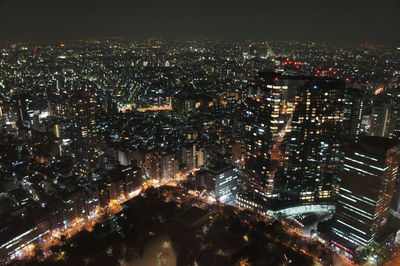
(367, 175)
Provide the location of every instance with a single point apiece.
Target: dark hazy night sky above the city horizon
(330, 20)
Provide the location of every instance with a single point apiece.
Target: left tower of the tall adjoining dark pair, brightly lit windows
(268, 115)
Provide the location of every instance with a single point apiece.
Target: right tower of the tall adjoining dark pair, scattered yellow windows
(311, 146)
